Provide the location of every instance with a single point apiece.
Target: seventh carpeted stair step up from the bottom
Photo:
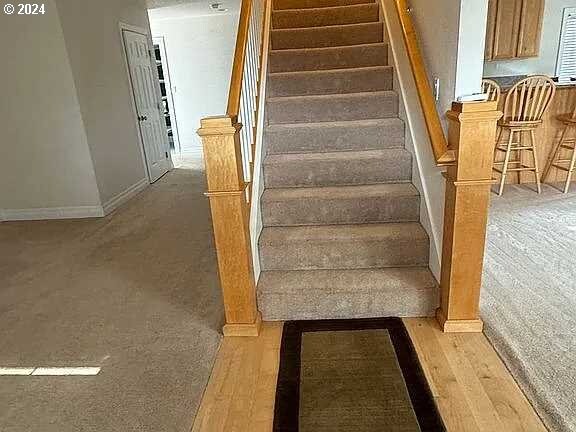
(333, 81)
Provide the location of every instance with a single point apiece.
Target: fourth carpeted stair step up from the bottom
(338, 168)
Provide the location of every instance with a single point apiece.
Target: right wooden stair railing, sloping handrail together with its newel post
(468, 155)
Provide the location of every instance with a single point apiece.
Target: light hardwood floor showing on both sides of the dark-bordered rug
(472, 387)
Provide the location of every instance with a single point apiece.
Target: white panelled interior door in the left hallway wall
(146, 98)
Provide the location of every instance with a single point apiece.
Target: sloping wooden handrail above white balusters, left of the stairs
(239, 59)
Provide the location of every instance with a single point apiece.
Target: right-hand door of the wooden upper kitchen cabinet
(530, 28)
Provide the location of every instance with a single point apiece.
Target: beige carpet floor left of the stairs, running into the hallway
(135, 293)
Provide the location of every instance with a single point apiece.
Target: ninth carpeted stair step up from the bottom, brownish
(327, 36)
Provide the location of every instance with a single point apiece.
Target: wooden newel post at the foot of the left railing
(227, 194)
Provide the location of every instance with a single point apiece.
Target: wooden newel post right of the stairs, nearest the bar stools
(472, 131)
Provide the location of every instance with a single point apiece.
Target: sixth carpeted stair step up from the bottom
(332, 107)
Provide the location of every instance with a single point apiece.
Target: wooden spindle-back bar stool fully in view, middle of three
(524, 107)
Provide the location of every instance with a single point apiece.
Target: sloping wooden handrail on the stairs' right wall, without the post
(442, 154)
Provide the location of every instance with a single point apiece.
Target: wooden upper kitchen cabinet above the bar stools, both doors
(514, 29)
